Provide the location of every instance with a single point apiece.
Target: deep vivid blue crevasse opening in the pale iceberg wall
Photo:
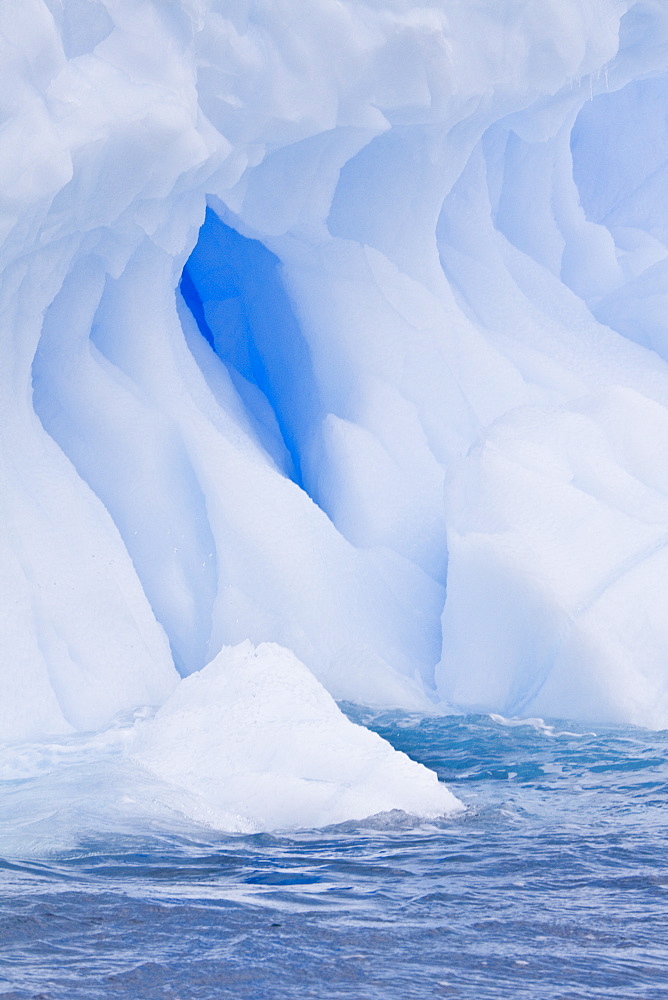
(234, 290)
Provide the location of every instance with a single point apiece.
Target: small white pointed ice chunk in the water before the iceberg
(257, 743)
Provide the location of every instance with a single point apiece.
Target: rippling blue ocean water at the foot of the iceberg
(553, 884)
